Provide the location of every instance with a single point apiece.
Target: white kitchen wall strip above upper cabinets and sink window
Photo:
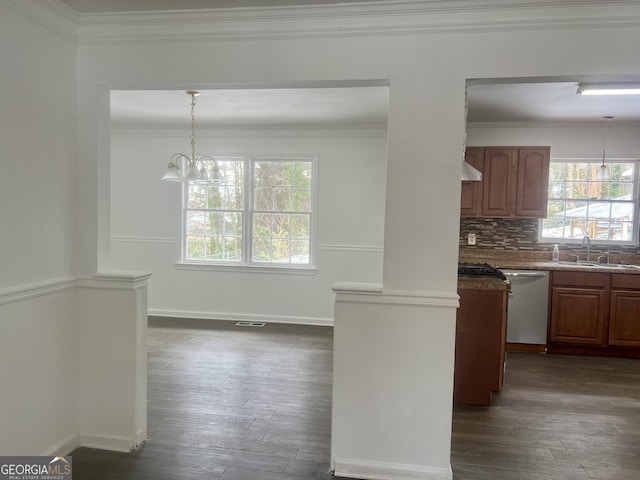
(565, 140)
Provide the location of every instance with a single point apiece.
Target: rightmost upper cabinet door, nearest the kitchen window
(533, 179)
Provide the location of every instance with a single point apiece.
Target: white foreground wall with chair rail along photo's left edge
(38, 342)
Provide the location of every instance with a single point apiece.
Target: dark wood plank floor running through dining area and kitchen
(247, 403)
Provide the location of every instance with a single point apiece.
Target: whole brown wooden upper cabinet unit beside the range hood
(514, 182)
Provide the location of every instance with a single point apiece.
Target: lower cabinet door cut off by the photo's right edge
(624, 323)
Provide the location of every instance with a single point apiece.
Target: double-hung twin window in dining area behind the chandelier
(260, 214)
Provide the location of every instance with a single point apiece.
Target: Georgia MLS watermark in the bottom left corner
(35, 468)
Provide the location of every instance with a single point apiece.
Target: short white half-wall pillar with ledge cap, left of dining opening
(112, 319)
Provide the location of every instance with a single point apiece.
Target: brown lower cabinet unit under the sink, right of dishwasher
(594, 313)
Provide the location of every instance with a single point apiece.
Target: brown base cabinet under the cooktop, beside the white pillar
(481, 338)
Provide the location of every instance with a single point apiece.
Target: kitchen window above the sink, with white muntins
(580, 204)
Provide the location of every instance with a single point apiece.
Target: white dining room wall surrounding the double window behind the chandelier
(146, 221)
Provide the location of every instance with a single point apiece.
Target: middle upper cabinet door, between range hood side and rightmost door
(499, 182)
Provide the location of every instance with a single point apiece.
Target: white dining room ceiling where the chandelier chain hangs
(274, 106)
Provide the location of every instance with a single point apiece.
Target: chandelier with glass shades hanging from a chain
(201, 169)
